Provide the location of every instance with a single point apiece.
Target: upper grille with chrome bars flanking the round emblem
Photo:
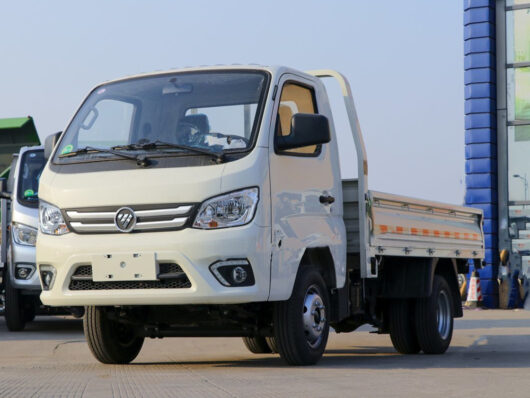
(147, 218)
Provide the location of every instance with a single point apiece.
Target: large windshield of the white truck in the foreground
(214, 111)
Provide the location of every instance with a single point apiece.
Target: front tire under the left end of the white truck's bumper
(111, 342)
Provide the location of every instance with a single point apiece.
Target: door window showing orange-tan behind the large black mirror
(295, 99)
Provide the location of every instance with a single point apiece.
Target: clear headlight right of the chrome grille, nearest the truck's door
(229, 210)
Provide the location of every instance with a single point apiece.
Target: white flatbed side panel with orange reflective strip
(402, 226)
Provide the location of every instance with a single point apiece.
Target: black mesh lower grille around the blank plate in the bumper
(176, 279)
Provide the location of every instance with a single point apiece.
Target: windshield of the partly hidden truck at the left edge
(31, 165)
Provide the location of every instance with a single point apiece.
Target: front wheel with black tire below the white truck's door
(298, 341)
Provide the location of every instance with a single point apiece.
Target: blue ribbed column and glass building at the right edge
(497, 136)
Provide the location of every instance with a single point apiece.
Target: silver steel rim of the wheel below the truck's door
(313, 316)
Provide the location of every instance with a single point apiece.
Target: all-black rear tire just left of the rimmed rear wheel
(402, 326)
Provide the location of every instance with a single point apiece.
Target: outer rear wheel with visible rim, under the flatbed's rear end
(434, 318)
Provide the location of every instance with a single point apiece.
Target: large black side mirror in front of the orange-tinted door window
(306, 129)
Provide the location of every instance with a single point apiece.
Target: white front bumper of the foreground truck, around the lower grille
(193, 250)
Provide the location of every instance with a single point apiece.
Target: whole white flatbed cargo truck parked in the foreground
(209, 202)
